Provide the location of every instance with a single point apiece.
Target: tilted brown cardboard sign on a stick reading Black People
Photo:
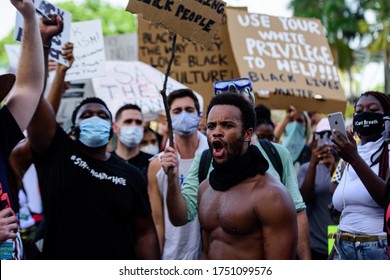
(195, 20)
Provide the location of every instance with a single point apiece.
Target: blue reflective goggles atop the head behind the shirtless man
(240, 86)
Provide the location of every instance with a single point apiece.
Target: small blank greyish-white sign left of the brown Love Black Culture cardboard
(121, 47)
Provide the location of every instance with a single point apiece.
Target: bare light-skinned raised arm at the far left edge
(24, 96)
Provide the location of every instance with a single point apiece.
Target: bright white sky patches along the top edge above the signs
(278, 8)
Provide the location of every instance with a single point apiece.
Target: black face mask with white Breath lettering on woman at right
(368, 123)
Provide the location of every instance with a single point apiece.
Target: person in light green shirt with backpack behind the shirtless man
(182, 200)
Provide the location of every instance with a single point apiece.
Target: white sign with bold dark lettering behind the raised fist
(57, 41)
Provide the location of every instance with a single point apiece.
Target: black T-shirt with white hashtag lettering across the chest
(89, 205)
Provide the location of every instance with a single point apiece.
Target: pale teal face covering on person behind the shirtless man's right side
(294, 140)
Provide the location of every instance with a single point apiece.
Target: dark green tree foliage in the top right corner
(346, 25)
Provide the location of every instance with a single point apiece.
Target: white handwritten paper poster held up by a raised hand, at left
(88, 50)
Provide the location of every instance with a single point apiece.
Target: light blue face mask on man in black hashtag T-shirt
(94, 132)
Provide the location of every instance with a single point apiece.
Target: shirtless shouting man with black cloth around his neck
(245, 213)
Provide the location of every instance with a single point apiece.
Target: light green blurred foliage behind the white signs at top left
(115, 20)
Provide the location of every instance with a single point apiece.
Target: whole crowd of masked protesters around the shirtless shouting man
(248, 187)
